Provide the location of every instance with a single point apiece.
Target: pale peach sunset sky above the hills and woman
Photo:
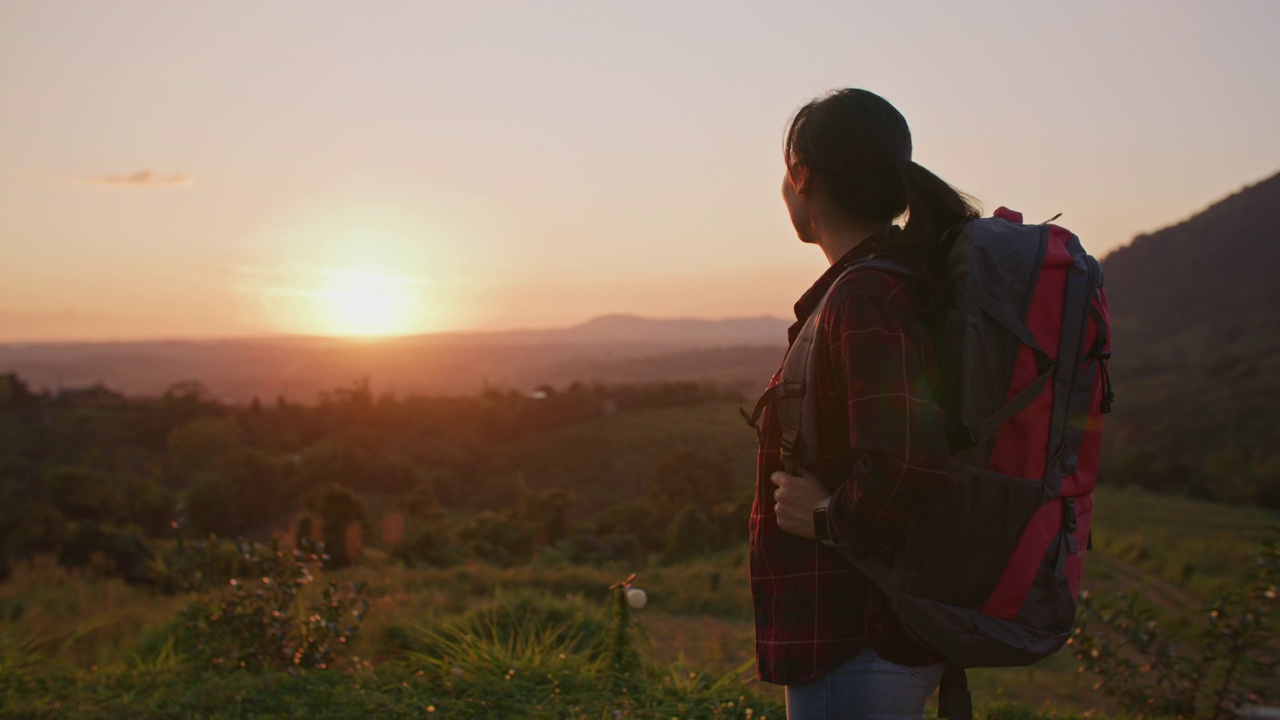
(193, 170)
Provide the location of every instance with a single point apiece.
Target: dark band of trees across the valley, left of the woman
(97, 479)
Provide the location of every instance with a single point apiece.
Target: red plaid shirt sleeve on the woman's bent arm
(879, 353)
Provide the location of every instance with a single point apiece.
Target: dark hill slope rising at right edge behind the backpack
(1196, 317)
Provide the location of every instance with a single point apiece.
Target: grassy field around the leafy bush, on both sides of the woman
(76, 645)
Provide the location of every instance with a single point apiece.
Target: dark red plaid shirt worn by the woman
(881, 446)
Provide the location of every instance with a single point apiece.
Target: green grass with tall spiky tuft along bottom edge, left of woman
(531, 658)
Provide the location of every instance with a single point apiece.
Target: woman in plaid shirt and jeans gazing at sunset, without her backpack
(822, 630)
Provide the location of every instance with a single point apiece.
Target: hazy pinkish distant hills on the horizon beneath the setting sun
(738, 354)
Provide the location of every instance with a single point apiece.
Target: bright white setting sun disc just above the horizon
(368, 304)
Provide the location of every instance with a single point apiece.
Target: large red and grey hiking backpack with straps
(990, 576)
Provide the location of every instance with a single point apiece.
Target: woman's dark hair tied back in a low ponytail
(860, 148)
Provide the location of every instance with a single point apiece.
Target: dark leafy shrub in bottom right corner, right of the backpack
(1231, 663)
